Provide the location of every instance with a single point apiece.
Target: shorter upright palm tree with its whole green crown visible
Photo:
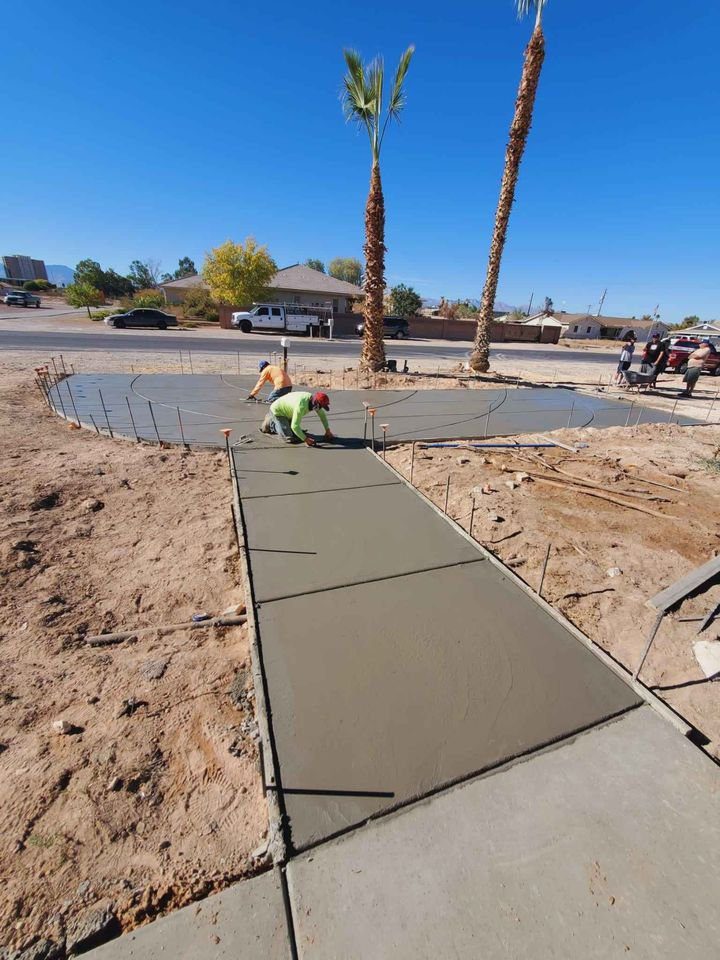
(362, 101)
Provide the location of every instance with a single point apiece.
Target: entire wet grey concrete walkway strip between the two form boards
(398, 658)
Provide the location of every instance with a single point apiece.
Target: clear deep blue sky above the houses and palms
(159, 130)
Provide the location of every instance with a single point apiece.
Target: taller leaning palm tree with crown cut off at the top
(519, 130)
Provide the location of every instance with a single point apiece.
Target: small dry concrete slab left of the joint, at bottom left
(245, 922)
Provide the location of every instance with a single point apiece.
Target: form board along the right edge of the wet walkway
(639, 688)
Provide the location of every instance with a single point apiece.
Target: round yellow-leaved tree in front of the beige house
(238, 273)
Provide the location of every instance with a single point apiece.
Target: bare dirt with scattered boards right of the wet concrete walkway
(605, 560)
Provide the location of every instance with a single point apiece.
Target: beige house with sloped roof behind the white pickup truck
(294, 284)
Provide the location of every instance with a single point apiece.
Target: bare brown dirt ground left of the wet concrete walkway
(154, 797)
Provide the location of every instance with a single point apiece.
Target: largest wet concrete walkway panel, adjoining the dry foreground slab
(397, 687)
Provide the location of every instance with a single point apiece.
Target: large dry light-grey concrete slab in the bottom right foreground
(602, 849)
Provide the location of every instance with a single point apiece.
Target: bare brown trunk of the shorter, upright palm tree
(373, 351)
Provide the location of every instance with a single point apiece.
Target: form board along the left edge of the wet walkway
(268, 761)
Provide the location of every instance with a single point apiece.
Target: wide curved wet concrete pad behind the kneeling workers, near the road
(193, 409)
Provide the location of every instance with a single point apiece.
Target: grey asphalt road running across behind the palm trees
(256, 345)
